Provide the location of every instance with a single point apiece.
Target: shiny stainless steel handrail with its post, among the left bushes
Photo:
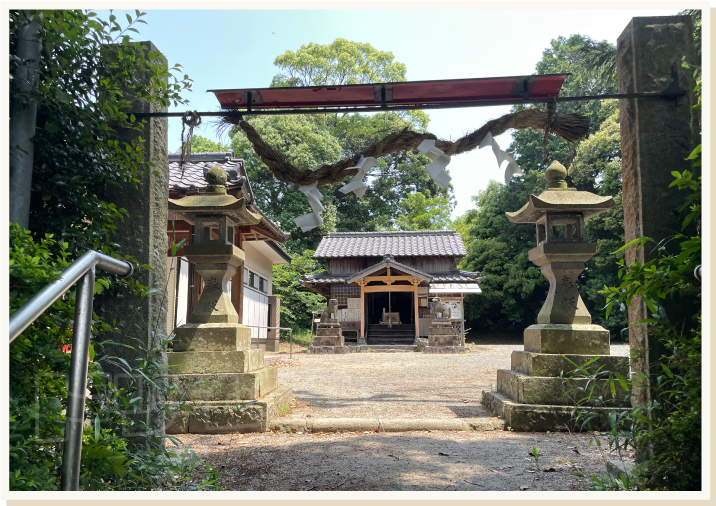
(81, 270)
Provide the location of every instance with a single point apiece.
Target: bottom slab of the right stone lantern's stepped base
(534, 418)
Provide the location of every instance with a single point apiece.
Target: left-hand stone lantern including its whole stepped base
(212, 362)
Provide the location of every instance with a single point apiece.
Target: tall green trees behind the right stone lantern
(514, 289)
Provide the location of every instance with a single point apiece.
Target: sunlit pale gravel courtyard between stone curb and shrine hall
(396, 385)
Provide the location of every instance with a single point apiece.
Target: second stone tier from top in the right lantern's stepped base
(544, 364)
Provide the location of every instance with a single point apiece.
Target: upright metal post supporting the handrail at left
(79, 362)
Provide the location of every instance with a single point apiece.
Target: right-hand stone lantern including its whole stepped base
(531, 396)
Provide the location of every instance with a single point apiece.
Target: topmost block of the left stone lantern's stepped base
(212, 337)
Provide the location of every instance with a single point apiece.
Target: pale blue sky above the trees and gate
(236, 49)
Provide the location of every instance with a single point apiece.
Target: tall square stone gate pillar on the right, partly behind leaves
(656, 137)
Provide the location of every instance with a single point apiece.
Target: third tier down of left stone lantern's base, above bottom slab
(224, 386)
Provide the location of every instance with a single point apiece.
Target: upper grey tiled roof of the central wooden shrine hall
(378, 244)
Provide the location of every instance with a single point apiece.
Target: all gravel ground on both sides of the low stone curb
(400, 385)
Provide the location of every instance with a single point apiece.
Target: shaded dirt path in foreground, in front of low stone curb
(477, 461)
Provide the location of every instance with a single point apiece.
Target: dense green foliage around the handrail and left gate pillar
(87, 70)
